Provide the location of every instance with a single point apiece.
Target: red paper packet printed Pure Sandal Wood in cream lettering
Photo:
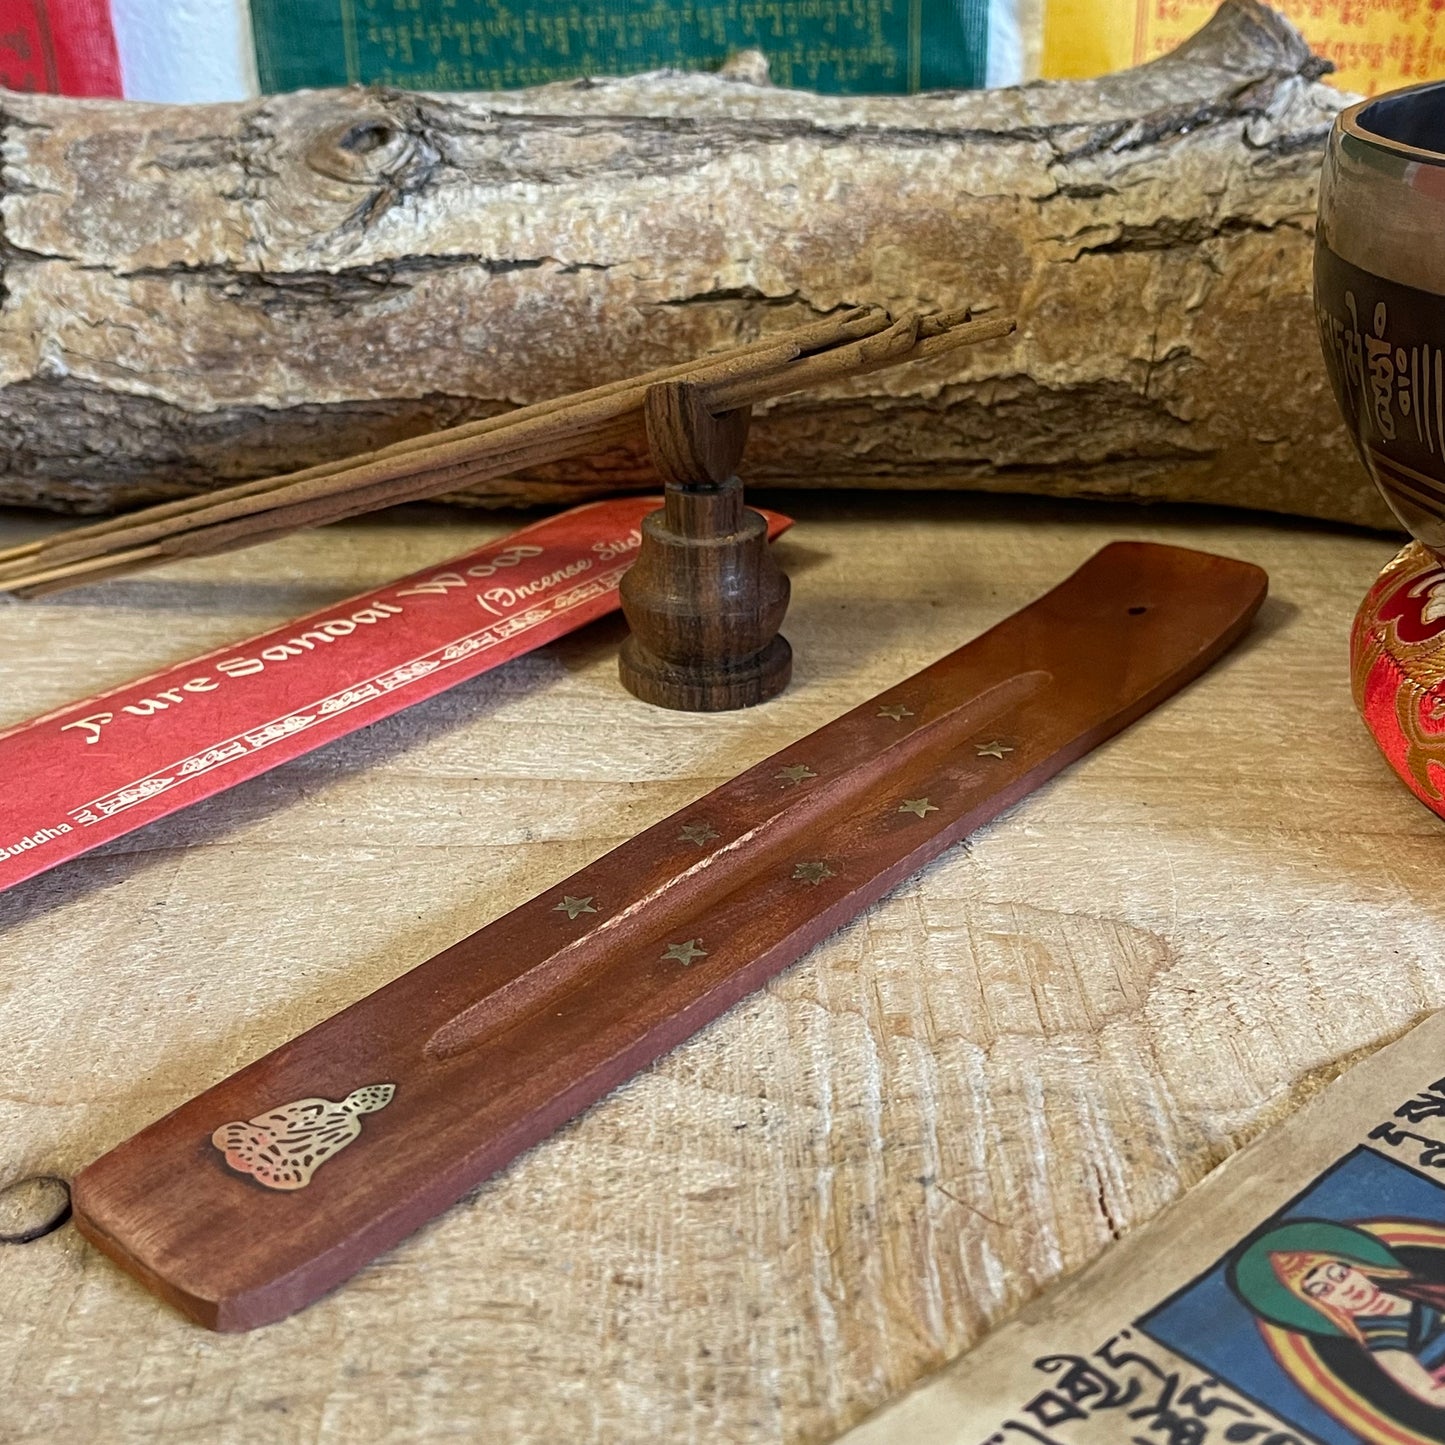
(112, 764)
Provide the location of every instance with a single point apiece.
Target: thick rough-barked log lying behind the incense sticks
(199, 296)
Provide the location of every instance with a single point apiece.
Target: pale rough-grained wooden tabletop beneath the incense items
(1024, 1053)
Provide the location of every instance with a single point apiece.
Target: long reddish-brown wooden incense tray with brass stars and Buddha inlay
(271, 1189)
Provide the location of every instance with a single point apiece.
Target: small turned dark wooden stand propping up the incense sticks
(706, 598)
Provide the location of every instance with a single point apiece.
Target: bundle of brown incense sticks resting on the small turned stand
(865, 339)
